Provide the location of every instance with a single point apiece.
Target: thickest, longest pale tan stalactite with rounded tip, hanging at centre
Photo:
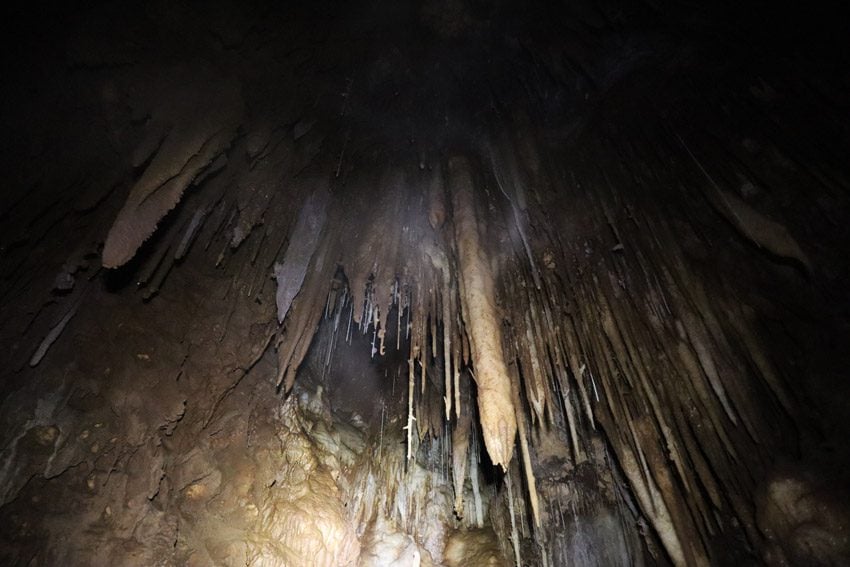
(480, 316)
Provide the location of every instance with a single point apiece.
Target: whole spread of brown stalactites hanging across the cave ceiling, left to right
(550, 332)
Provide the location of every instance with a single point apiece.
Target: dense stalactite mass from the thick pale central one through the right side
(498, 311)
